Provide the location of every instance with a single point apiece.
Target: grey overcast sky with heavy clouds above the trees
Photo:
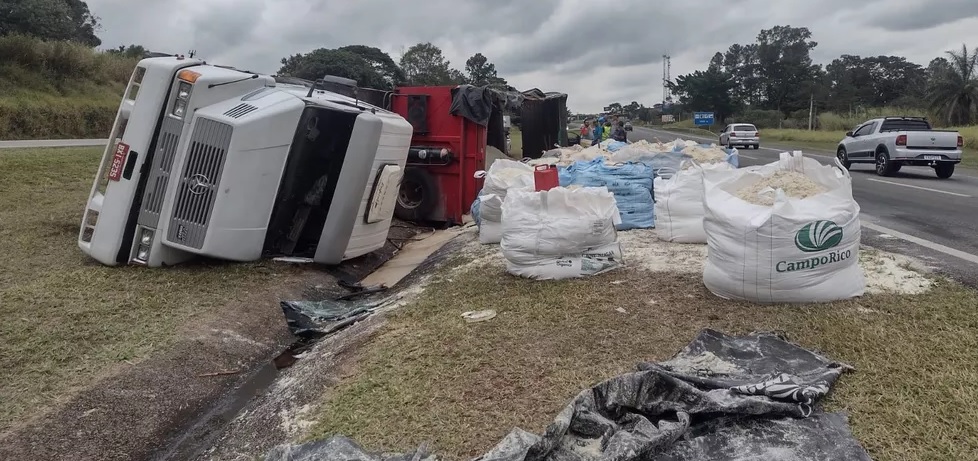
(596, 51)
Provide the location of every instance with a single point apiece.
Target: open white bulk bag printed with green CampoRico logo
(798, 250)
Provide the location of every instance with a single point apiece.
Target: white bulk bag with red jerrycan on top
(560, 233)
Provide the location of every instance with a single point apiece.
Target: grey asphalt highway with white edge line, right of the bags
(913, 213)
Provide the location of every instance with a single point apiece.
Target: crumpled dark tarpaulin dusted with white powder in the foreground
(721, 398)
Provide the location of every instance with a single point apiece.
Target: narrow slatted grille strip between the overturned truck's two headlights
(159, 174)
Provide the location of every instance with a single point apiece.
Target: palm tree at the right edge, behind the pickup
(953, 93)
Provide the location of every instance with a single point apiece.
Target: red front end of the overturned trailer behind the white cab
(439, 182)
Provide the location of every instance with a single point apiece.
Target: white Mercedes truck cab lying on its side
(213, 161)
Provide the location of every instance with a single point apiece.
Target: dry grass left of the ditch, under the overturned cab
(66, 319)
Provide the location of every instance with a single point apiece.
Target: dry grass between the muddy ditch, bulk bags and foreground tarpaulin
(432, 377)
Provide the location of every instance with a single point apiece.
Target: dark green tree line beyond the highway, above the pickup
(775, 81)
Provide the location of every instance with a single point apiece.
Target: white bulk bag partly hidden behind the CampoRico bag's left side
(679, 204)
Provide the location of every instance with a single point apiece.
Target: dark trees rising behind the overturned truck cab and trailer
(423, 64)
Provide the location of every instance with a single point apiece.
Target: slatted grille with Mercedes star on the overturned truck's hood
(199, 183)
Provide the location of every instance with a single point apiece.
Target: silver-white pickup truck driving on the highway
(892, 142)
